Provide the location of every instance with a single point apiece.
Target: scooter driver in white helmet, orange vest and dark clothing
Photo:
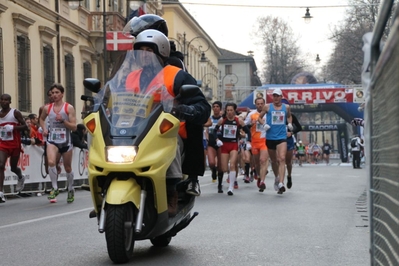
(195, 111)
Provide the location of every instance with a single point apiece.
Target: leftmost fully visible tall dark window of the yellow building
(24, 79)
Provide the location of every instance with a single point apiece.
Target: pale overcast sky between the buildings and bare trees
(232, 27)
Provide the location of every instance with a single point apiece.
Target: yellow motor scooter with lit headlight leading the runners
(133, 138)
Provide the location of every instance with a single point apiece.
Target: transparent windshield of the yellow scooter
(135, 90)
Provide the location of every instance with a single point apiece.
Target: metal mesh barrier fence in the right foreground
(382, 129)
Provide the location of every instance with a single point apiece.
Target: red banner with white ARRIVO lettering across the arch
(306, 95)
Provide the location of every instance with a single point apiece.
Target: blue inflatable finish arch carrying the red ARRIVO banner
(341, 99)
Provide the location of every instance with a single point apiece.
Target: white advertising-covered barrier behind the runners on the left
(32, 165)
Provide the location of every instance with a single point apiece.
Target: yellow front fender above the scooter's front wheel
(123, 191)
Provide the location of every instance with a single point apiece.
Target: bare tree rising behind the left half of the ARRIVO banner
(282, 60)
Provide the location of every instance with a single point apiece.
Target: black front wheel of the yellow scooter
(119, 232)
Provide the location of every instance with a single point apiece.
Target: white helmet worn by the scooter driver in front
(154, 39)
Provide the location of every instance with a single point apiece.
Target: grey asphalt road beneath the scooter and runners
(322, 220)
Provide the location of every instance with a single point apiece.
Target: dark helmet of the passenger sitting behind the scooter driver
(145, 22)
